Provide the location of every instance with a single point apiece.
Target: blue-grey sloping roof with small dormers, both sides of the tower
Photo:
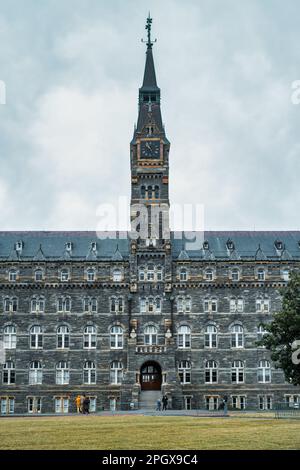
(92, 246)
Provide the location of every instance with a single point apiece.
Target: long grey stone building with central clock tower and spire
(126, 319)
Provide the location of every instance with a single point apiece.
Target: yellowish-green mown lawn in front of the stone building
(139, 432)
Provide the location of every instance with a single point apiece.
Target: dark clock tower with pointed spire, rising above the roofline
(149, 158)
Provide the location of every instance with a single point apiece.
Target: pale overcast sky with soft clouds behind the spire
(72, 69)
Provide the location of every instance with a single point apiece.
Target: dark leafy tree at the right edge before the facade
(284, 332)
